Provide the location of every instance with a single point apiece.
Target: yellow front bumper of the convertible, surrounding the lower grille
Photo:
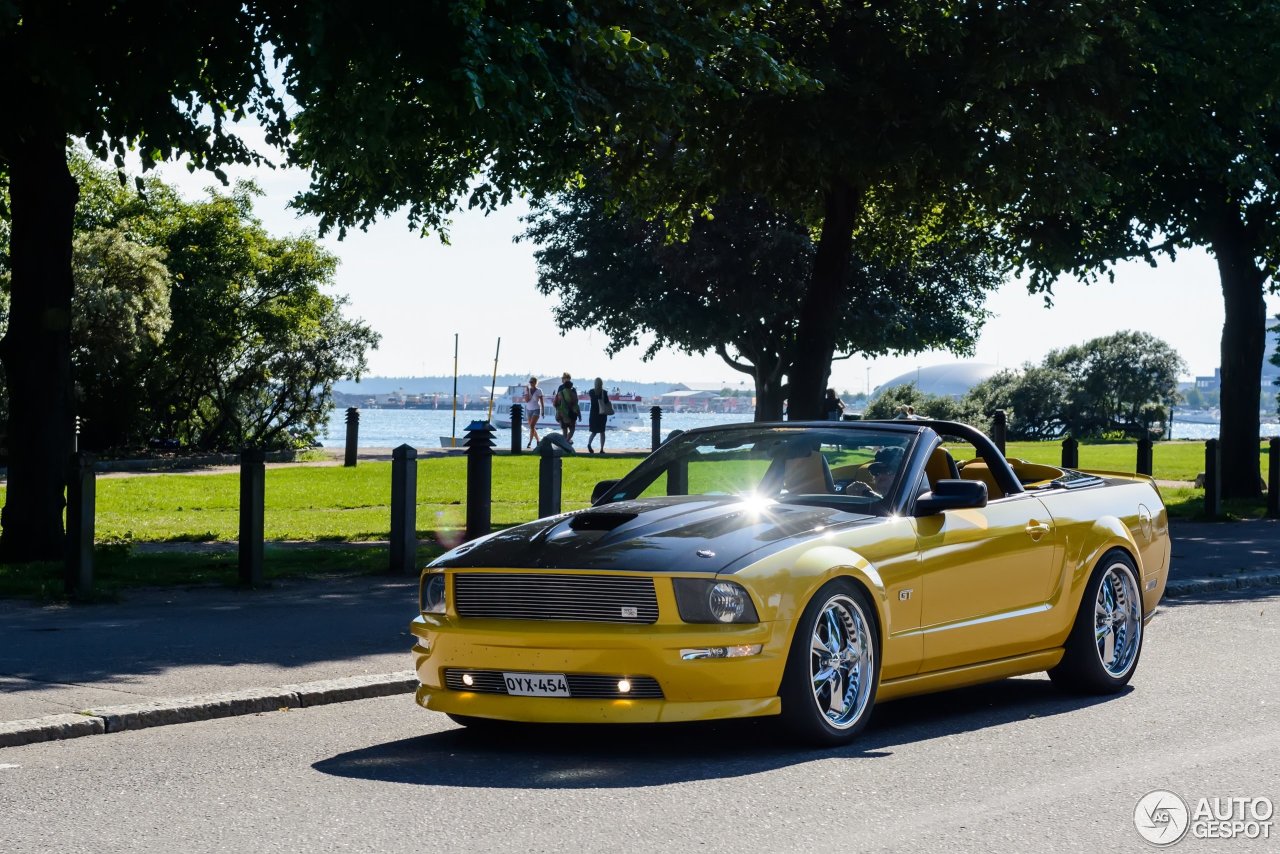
(693, 691)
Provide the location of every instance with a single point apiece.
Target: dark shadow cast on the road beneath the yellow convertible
(633, 756)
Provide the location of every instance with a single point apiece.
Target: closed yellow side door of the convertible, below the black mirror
(986, 576)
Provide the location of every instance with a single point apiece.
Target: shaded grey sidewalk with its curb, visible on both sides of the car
(182, 655)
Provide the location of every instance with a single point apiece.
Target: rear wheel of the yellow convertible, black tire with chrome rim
(1107, 641)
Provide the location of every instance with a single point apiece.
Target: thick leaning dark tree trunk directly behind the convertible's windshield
(819, 317)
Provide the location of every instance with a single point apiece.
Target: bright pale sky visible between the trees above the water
(419, 293)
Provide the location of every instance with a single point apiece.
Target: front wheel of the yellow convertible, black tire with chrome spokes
(833, 672)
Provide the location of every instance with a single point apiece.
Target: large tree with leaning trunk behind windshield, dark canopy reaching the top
(895, 120)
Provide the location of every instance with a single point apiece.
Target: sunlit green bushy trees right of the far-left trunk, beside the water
(191, 323)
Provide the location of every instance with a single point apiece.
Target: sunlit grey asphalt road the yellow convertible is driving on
(1009, 768)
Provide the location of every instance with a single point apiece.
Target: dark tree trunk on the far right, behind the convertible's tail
(1245, 332)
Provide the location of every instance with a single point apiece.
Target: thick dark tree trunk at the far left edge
(36, 349)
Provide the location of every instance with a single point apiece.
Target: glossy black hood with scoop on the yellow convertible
(674, 535)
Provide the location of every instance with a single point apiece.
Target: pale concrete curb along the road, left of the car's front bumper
(139, 716)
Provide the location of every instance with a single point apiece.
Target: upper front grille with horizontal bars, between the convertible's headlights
(583, 599)
